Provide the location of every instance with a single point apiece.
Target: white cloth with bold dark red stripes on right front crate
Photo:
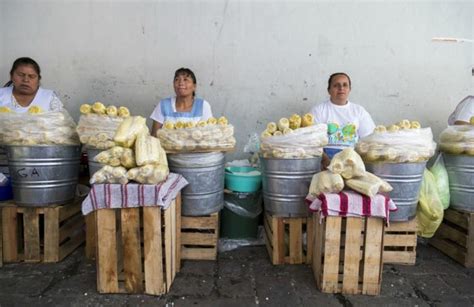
(350, 203)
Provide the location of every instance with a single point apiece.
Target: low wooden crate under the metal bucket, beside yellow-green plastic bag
(400, 243)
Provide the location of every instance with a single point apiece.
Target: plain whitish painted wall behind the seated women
(255, 61)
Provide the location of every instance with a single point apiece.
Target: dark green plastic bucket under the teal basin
(240, 215)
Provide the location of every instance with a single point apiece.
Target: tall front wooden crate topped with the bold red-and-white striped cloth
(347, 256)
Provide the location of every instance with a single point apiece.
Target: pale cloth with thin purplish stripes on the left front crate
(114, 196)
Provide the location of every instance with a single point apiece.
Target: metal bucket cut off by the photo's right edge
(461, 181)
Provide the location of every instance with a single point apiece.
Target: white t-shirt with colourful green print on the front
(346, 124)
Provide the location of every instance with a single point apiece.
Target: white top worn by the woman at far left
(45, 99)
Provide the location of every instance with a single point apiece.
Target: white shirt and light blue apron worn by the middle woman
(166, 111)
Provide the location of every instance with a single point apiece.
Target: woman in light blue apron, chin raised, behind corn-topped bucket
(184, 106)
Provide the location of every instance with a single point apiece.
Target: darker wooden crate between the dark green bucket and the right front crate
(284, 239)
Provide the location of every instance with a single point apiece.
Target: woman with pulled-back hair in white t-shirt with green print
(347, 121)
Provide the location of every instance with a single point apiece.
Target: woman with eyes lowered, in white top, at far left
(24, 91)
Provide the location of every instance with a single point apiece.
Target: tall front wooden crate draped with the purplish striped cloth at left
(137, 249)
